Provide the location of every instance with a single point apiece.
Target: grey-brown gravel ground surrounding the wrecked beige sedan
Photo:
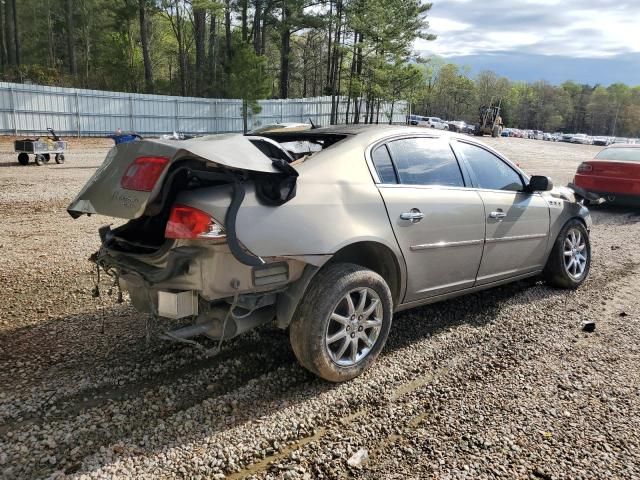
(502, 383)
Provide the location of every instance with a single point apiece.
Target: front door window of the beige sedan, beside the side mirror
(490, 171)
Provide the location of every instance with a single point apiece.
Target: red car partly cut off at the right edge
(614, 173)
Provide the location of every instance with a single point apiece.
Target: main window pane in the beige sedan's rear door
(425, 161)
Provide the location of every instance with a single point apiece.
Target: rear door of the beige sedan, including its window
(438, 222)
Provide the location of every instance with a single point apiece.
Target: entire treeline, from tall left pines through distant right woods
(356, 51)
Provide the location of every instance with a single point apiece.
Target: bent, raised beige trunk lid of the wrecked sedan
(103, 194)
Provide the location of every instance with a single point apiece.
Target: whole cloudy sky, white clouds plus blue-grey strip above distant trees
(574, 37)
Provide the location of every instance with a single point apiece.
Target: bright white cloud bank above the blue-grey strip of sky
(575, 28)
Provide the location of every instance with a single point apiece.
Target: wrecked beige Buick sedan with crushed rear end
(327, 232)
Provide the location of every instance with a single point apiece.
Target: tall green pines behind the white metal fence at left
(249, 49)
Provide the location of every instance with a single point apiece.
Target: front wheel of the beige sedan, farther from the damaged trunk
(570, 259)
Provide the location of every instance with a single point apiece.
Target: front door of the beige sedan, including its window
(517, 222)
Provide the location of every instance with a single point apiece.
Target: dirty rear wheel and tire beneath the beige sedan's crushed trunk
(342, 322)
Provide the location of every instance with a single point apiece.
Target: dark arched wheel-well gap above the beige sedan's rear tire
(374, 256)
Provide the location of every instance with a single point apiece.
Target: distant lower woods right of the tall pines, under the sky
(449, 91)
